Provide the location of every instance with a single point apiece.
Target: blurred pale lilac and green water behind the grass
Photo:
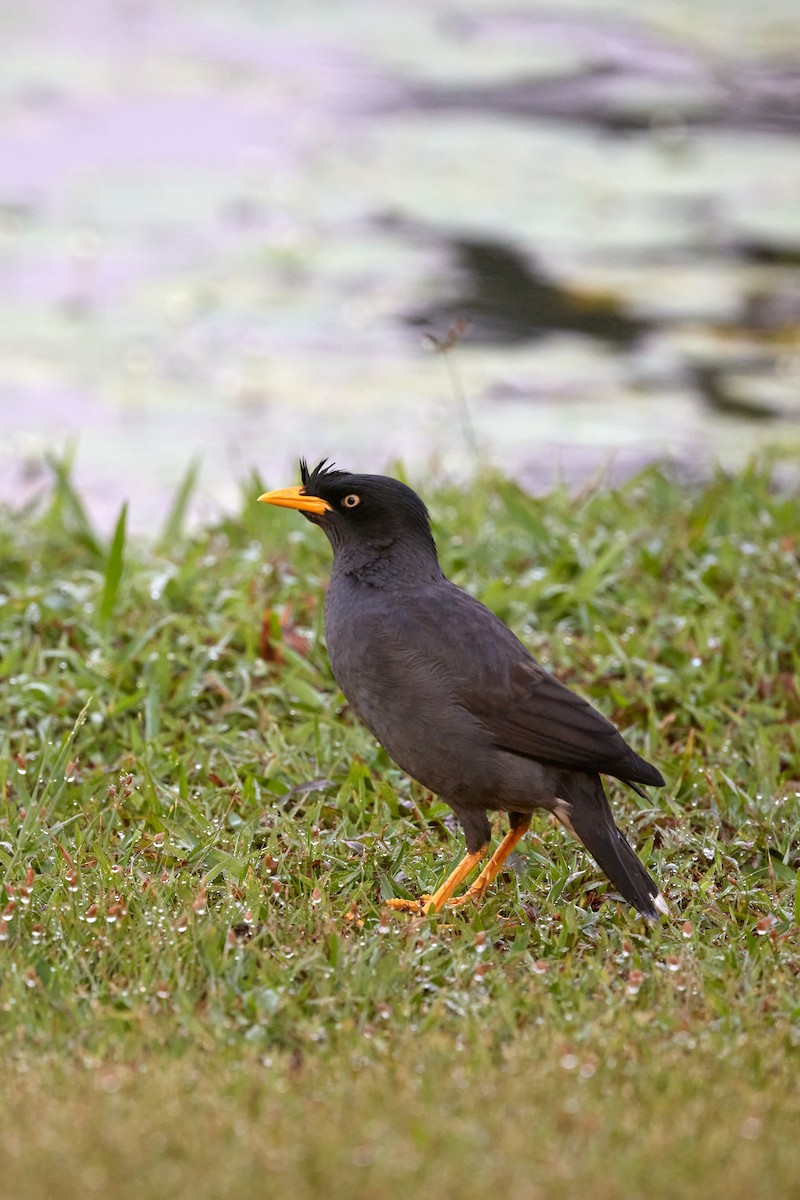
(557, 238)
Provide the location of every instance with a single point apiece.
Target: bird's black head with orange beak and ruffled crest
(360, 514)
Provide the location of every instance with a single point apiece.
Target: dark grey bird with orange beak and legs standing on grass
(455, 698)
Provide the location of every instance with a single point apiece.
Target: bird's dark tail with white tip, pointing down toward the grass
(584, 808)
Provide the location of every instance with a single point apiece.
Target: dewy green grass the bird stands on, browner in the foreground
(201, 991)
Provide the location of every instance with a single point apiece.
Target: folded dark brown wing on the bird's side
(525, 709)
